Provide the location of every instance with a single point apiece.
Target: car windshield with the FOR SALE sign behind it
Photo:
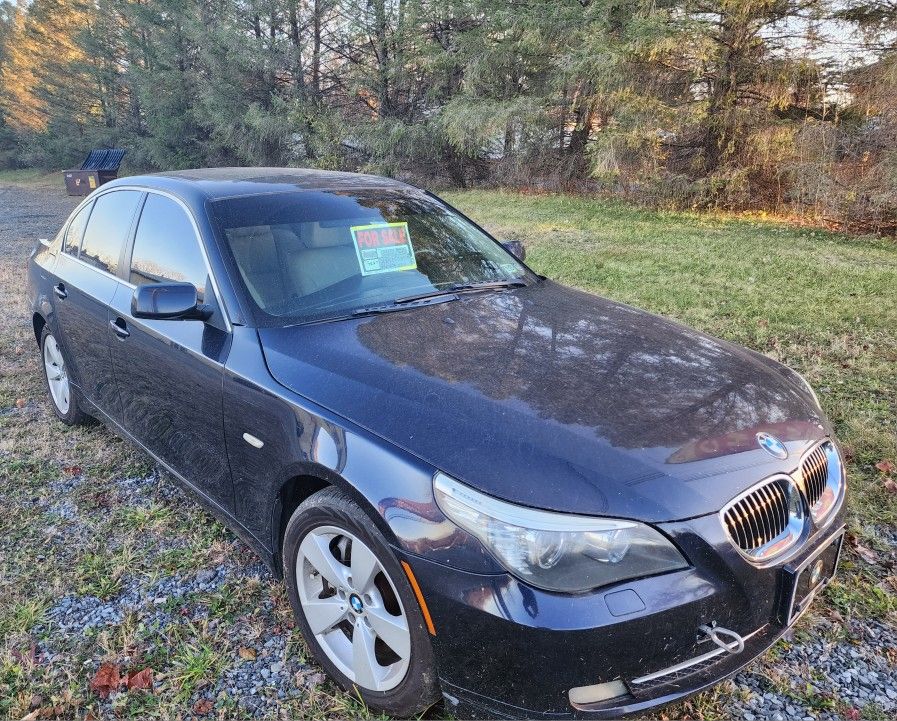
(314, 255)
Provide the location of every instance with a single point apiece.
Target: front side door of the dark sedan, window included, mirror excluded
(170, 372)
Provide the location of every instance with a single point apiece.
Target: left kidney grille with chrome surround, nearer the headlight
(766, 520)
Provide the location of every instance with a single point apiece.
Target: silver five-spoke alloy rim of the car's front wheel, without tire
(352, 608)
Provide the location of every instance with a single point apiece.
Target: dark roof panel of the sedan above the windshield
(218, 183)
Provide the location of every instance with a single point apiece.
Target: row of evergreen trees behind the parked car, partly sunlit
(775, 105)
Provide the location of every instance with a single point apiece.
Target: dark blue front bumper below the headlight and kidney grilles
(504, 649)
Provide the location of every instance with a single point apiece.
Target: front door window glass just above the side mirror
(166, 248)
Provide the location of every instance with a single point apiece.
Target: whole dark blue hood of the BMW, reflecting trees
(557, 399)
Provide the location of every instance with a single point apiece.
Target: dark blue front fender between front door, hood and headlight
(301, 439)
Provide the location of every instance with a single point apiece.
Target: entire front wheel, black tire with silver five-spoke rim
(355, 607)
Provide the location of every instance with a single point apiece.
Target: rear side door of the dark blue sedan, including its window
(83, 288)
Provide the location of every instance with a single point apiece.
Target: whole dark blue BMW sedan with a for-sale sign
(477, 484)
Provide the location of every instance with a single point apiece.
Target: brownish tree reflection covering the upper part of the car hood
(636, 379)
